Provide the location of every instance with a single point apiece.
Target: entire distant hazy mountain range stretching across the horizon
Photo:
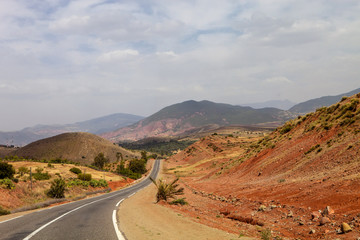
(175, 120)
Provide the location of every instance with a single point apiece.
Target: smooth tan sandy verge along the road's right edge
(141, 218)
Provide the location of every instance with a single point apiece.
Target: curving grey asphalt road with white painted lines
(92, 218)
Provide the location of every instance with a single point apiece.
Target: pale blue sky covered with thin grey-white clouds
(66, 61)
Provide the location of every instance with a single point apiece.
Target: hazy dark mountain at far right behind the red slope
(313, 104)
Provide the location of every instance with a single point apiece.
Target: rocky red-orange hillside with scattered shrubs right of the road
(284, 181)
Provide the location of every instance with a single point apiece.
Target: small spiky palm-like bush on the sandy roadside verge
(165, 190)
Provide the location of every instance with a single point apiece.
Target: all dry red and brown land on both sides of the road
(297, 181)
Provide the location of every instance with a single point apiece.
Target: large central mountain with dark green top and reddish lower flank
(195, 116)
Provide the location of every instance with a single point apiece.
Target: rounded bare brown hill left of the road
(76, 147)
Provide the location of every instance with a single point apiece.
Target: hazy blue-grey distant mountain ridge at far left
(95, 126)
